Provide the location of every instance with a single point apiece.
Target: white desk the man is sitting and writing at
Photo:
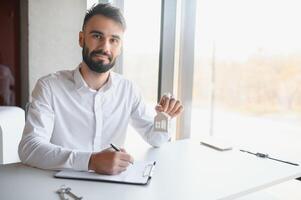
(184, 170)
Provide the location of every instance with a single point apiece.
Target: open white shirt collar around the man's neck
(81, 84)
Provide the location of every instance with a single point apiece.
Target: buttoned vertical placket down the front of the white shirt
(98, 113)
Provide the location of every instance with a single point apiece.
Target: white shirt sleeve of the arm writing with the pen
(35, 148)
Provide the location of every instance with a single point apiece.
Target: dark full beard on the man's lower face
(97, 66)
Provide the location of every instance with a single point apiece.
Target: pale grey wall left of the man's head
(53, 36)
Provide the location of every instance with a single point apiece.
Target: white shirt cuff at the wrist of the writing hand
(81, 160)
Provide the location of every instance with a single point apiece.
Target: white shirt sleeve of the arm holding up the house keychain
(143, 121)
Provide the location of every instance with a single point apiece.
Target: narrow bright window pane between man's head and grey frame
(141, 46)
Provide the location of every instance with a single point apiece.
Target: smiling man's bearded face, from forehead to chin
(101, 41)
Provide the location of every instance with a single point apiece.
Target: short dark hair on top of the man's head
(107, 10)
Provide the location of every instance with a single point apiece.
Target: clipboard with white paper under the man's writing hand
(139, 173)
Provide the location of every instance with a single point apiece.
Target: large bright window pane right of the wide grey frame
(248, 66)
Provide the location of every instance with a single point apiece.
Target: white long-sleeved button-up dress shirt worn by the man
(67, 120)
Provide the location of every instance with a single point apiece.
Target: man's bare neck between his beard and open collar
(93, 79)
